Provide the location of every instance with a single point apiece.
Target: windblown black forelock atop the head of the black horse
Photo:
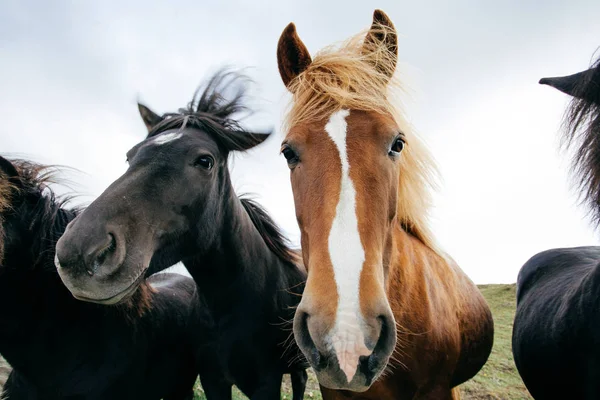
(216, 108)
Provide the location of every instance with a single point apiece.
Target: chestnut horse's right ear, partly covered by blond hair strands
(381, 44)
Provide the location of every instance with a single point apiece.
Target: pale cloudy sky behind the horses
(71, 72)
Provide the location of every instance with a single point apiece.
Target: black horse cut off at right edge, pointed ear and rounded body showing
(556, 336)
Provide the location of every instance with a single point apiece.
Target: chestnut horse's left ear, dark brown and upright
(292, 55)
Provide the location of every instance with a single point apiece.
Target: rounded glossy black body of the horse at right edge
(556, 317)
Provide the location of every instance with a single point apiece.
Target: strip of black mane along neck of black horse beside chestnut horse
(270, 232)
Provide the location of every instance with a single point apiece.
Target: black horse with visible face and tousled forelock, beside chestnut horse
(176, 202)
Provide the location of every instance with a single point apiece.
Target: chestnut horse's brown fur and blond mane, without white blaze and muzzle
(444, 326)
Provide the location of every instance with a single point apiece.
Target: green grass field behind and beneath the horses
(497, 380)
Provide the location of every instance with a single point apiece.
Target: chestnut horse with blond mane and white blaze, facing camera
(384, 311)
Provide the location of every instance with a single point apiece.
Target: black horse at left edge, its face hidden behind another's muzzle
(62, 348)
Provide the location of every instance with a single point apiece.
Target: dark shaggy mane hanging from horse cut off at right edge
(582, 130)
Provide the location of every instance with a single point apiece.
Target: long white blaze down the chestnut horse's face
(347, 256)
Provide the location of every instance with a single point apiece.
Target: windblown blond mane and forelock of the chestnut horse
(344, 77)
